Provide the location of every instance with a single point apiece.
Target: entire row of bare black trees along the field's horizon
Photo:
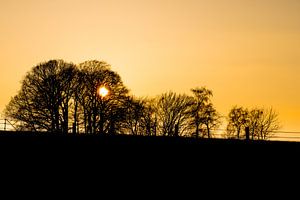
(62, 97)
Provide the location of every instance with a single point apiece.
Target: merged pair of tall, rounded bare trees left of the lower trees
(54, 90)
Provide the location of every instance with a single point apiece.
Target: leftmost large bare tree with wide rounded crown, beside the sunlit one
(44, 99)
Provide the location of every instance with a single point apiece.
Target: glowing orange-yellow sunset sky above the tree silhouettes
(246, 51)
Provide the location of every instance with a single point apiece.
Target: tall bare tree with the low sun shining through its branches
(100, 114)
